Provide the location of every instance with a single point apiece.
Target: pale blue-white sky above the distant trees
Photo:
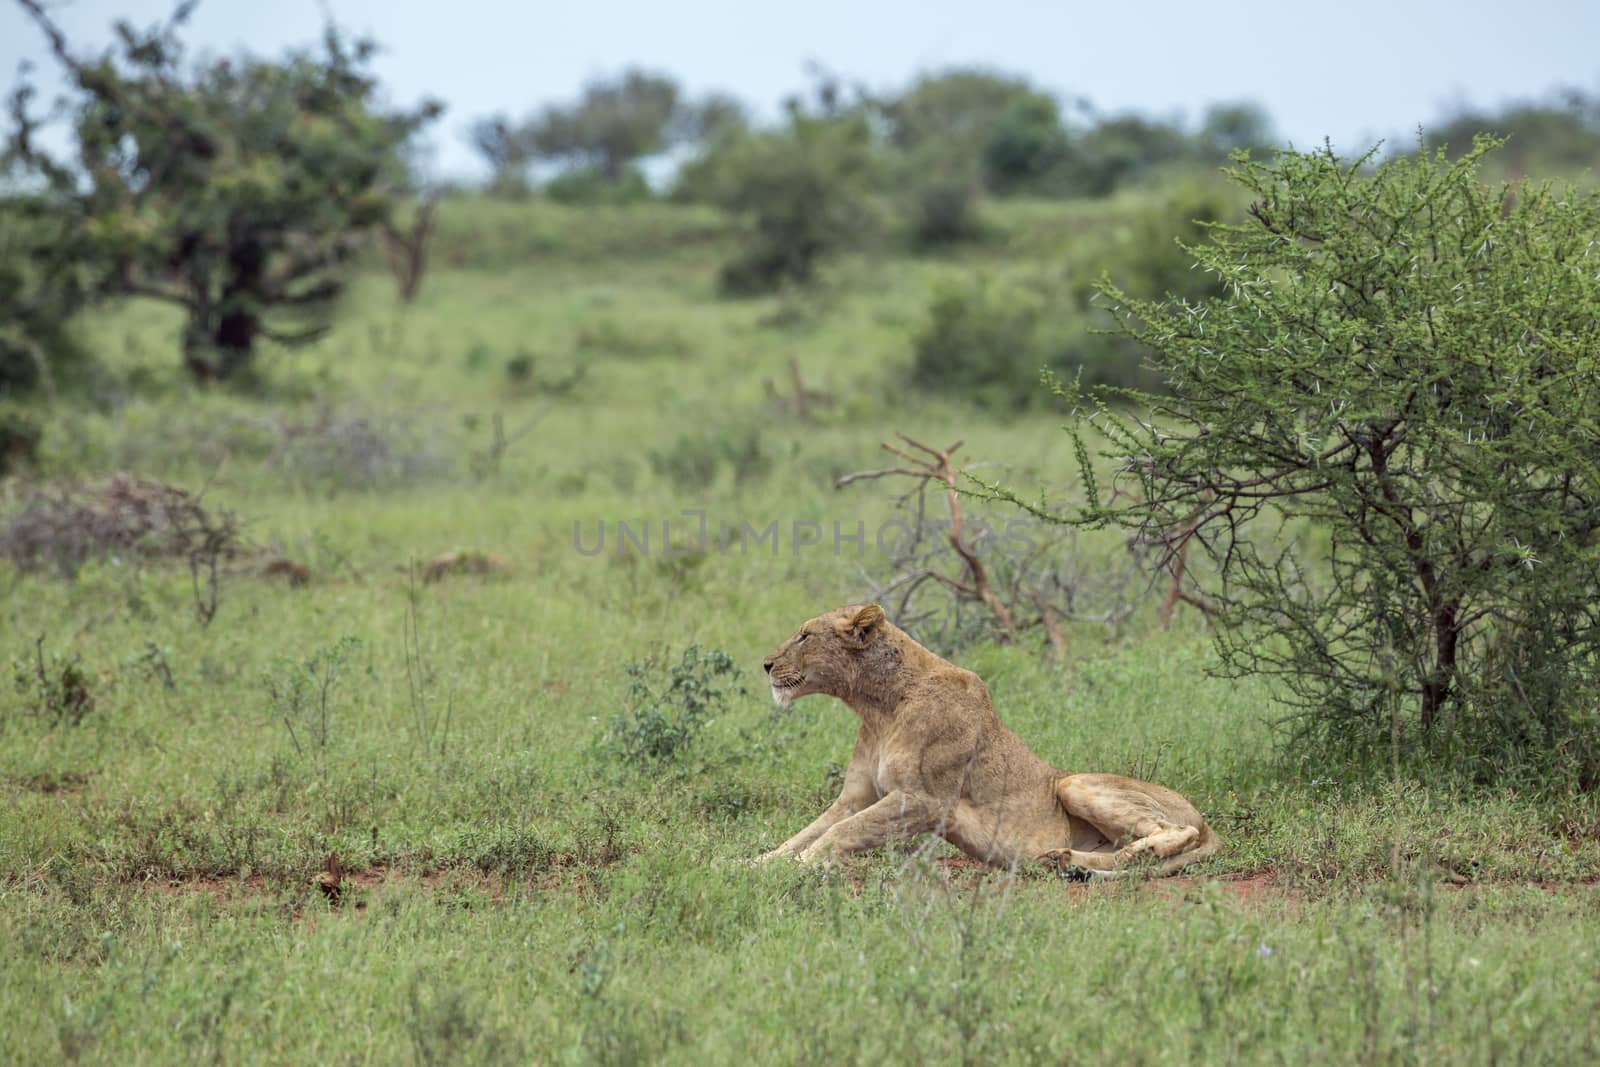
(1353, 71)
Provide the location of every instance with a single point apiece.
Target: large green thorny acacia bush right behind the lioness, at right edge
(1402, 374)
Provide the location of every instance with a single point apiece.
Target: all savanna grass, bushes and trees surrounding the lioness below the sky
(386, 585)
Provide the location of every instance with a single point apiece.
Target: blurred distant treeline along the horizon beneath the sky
(990, 129)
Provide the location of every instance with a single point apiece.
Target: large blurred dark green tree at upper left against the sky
(233, 190)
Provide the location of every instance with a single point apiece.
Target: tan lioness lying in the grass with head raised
(932, 757)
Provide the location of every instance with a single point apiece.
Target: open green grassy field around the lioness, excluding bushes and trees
(385, 820)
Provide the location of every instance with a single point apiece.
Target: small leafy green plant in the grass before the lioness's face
(665, 716)
